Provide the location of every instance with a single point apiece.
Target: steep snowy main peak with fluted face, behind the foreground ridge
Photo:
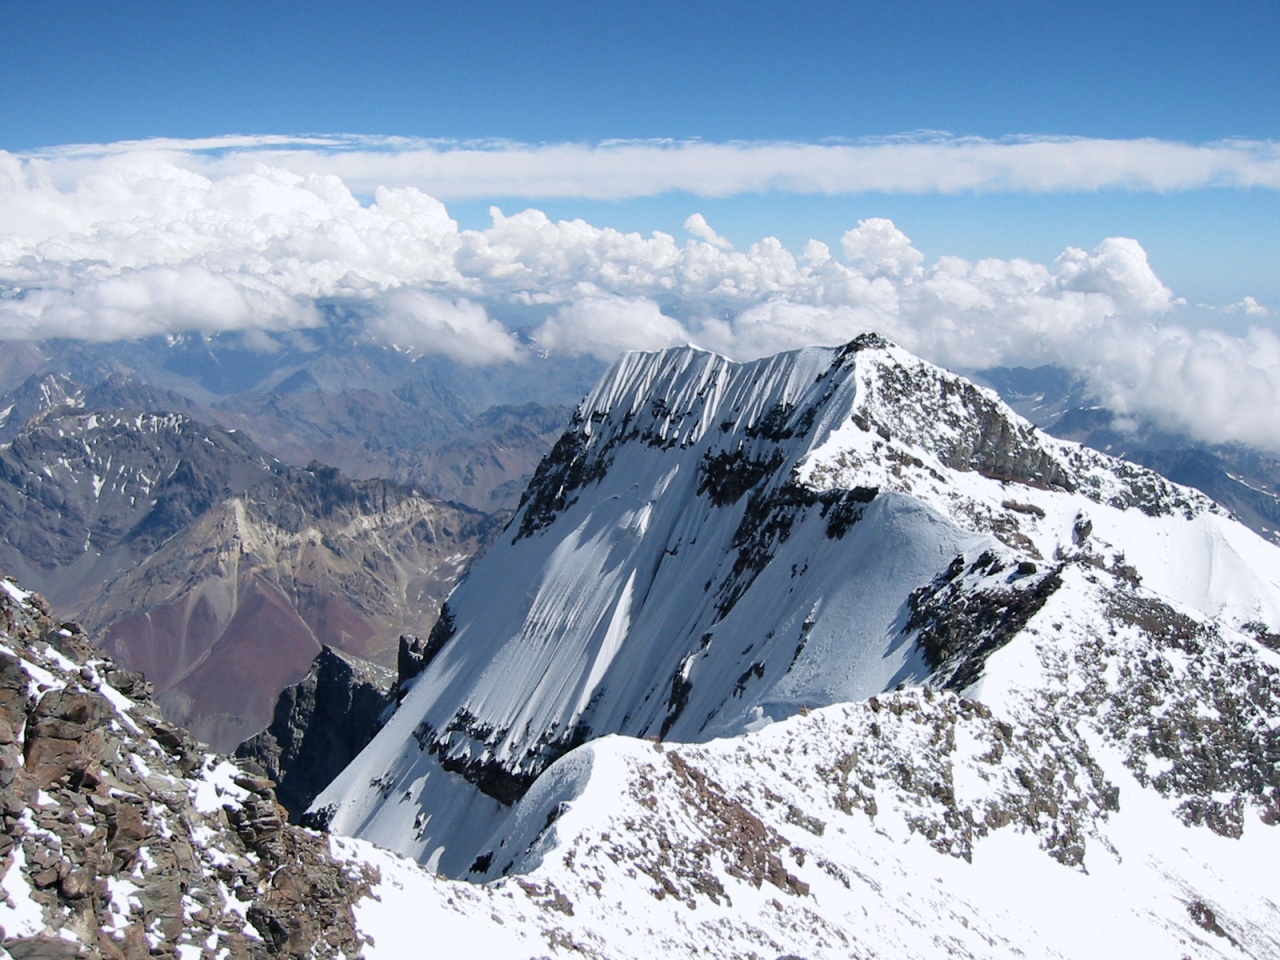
(714, 547)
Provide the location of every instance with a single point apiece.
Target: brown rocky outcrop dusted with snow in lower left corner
(126, 839)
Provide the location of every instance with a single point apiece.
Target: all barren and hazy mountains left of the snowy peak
(181, 497)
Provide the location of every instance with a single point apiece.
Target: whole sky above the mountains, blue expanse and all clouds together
(1095, 185)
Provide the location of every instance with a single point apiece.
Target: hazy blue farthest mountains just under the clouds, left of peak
(472, 436)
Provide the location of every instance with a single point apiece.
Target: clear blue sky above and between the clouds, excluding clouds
(588, 72)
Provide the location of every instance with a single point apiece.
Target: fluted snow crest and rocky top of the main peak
(868, 414)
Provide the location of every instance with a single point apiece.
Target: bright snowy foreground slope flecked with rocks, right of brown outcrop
(1118, 801)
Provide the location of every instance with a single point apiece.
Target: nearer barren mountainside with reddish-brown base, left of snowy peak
(216, 569)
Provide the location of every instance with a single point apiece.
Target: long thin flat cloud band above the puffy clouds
(623, 170)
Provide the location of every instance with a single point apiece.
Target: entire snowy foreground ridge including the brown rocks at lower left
(911, 825)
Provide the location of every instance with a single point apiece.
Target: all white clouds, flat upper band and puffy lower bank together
(136, 240)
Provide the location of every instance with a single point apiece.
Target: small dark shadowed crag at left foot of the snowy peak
(321, 725)
